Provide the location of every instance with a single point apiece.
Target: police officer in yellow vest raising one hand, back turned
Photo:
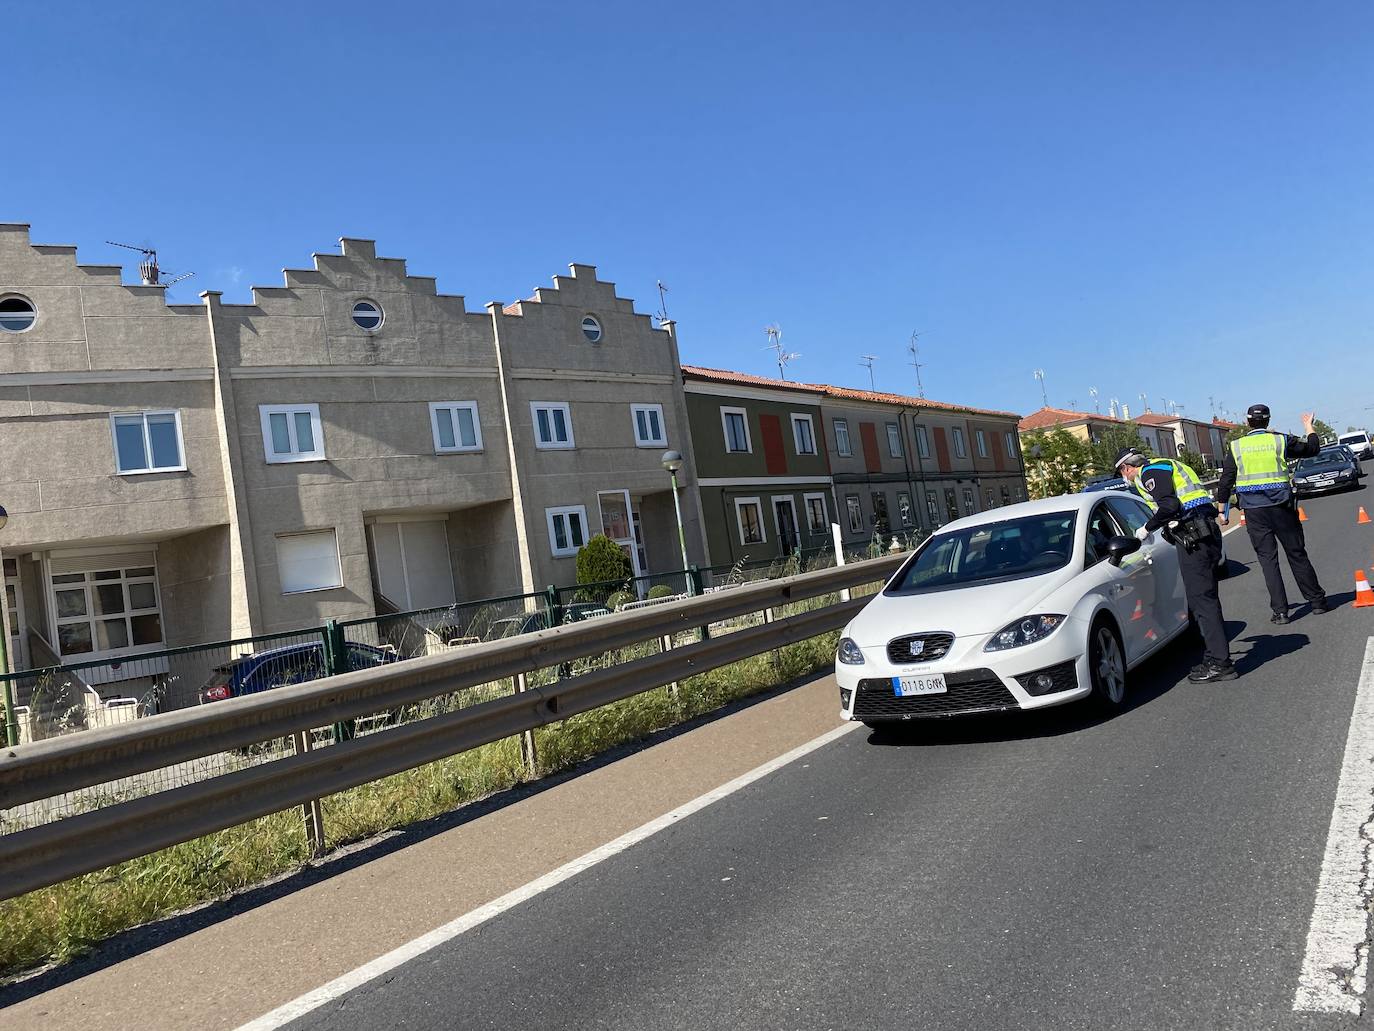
(1257, 468)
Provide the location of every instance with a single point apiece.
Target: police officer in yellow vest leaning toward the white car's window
(1185, 513)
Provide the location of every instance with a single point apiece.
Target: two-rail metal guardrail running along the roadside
(43, 856)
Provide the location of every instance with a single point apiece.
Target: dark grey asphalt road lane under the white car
(1053, 871)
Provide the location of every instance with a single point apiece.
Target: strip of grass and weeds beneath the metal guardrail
(67, 920)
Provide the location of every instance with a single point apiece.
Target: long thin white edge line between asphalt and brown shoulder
(384, 964)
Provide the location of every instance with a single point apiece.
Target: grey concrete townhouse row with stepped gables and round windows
(348, 443)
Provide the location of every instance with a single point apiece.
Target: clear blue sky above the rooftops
(1127, 196)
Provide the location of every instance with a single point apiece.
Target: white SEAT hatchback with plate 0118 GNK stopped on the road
(1020, 608)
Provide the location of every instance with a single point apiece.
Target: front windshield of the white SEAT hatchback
(990, 553)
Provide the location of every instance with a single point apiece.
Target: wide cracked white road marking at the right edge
(1336, 963)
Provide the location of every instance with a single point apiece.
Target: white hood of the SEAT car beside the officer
(964, 611)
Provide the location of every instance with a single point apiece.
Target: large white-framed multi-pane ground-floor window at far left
(108, 610)
